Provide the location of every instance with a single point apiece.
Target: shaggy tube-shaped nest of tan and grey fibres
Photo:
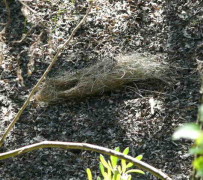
(104, 76)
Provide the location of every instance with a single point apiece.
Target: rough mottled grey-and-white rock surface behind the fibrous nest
(143, 115)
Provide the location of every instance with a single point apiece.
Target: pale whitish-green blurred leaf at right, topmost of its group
(188, 131)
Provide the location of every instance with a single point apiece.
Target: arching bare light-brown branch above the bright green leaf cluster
(85, 146)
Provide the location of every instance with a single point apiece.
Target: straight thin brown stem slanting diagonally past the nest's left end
(54, 59)
